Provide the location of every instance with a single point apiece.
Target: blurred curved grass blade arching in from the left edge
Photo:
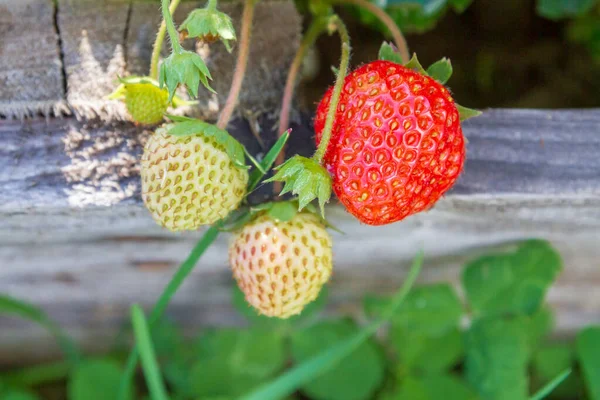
(9, 305)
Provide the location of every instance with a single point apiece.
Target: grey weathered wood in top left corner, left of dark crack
(31, 78)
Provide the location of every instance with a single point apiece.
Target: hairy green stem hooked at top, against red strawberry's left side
(335, 23)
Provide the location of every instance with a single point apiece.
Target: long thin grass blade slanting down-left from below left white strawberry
(159, 308)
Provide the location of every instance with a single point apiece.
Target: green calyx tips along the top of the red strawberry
(440, 70)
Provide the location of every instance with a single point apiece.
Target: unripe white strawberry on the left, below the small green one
(189, 181)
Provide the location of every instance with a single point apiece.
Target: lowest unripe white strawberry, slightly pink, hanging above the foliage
(281, 266)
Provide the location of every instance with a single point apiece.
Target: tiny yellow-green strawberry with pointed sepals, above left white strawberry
(145, 100)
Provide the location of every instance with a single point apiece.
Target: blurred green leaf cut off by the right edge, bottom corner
(588, 353)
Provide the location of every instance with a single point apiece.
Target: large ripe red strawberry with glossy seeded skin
(396, 145)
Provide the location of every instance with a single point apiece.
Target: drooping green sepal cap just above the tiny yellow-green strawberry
(185, 68)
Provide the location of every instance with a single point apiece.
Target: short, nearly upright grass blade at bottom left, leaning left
(154, 380)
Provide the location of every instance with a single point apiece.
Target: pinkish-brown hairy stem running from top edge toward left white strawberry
(240, 66)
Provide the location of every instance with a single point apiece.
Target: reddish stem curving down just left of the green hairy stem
(313, 32)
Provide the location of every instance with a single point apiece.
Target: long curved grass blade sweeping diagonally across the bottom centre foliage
(296, 377)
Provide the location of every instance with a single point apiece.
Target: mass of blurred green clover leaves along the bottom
(492, 346)
